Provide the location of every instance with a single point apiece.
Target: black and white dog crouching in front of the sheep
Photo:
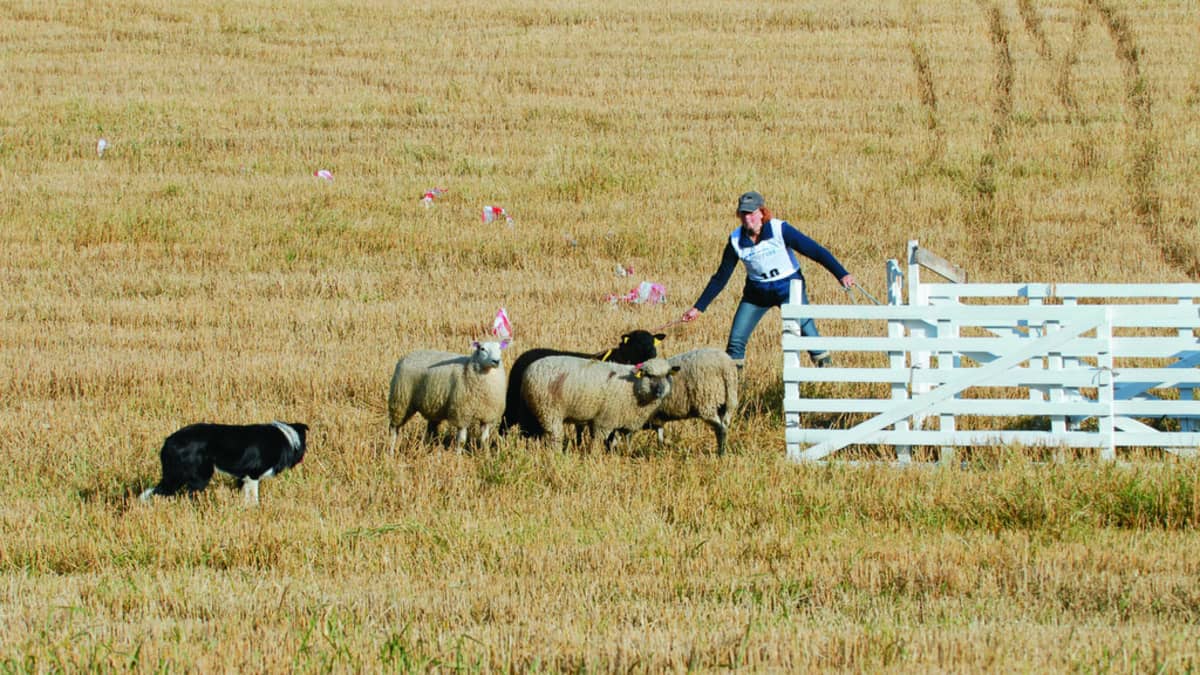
(249, 452)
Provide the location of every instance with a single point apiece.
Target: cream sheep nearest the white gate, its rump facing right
(705, 389)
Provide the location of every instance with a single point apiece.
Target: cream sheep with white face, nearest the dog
(442, 386)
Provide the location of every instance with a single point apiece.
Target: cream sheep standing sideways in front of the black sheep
(604, 396)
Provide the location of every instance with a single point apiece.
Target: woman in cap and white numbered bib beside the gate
(766, 246)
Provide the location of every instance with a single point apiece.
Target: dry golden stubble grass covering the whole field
(199, 271)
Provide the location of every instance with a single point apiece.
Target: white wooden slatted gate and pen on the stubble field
(1084, 366)
